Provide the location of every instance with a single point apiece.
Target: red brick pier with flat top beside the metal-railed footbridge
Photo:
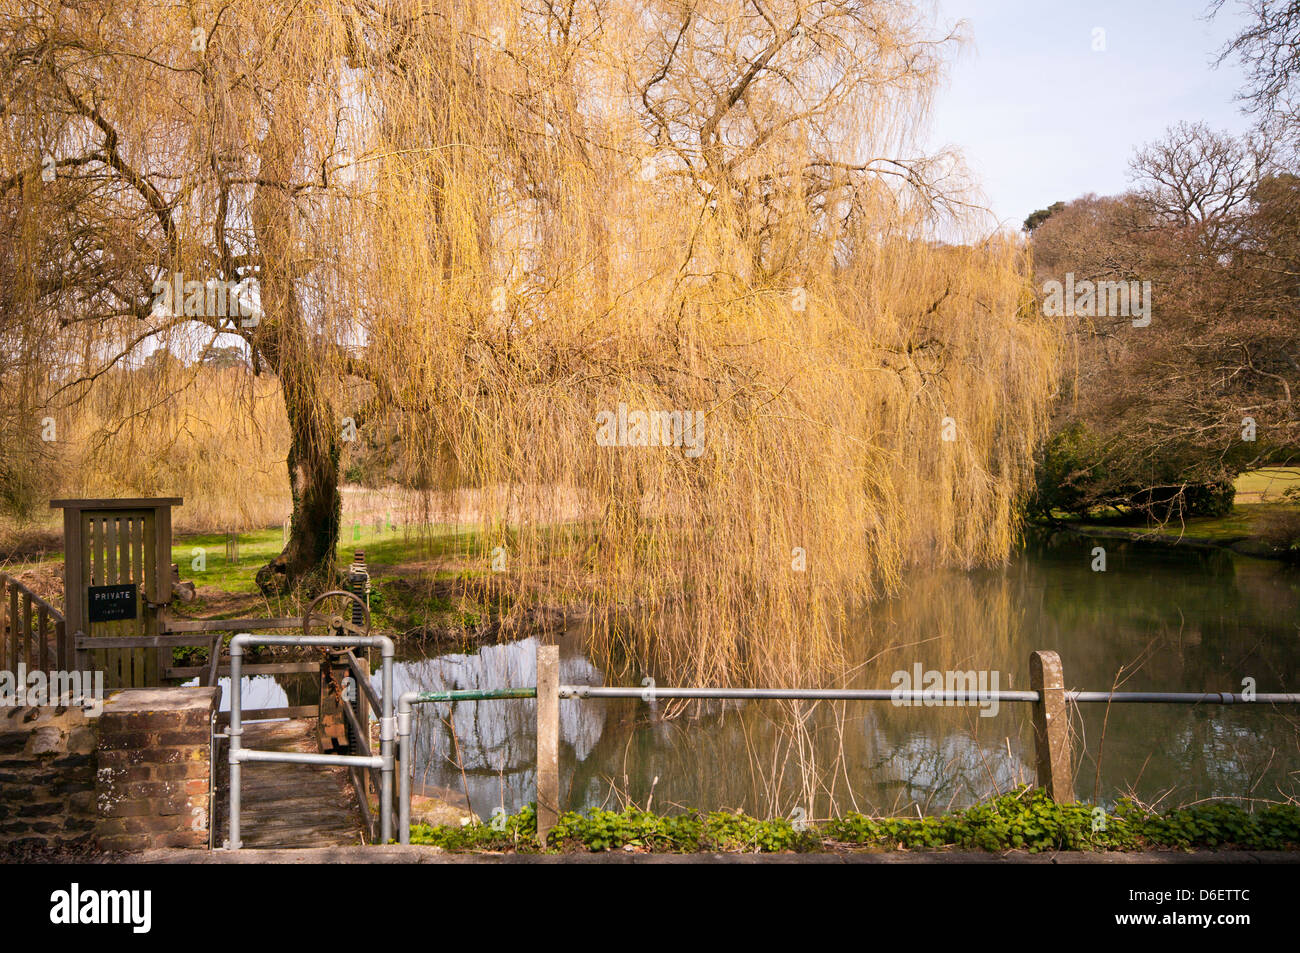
(155, 769)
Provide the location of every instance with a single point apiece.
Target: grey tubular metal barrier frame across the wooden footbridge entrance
(239, 755)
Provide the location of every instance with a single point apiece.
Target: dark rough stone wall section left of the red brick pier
(47, 778)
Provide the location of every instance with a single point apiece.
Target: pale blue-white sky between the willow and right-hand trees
(1042, 116)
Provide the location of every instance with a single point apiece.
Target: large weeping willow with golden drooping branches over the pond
(662, 283)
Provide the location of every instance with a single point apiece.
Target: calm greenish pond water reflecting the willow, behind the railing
(1155, 621)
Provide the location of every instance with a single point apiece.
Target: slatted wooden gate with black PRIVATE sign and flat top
(118, 582)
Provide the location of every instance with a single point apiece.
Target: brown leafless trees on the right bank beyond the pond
(1207, 388)
